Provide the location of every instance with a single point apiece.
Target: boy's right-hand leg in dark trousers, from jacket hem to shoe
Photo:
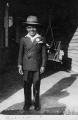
(36, 89)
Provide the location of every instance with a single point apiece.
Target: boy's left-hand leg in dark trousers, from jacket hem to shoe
(27, 89)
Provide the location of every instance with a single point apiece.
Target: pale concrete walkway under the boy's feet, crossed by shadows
(58, 96)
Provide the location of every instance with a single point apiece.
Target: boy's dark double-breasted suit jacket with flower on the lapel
(32, 55)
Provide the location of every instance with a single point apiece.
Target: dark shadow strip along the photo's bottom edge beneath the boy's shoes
(48, 111)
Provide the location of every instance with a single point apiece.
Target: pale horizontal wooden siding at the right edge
(73, 51)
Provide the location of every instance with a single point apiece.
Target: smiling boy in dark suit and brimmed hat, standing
(32, 61)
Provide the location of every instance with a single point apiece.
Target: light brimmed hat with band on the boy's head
(32, 20)
